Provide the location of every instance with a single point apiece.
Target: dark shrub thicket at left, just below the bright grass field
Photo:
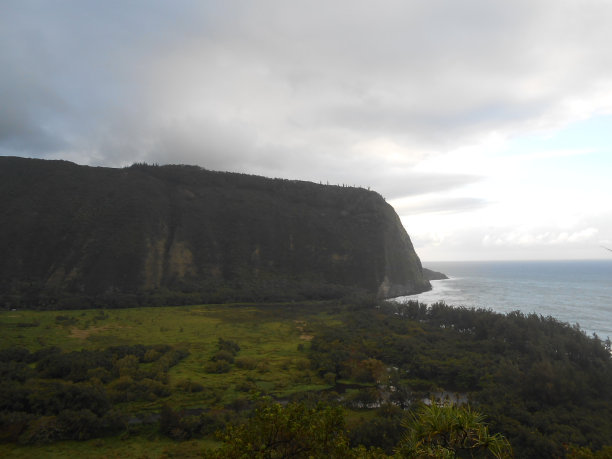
(50, 395)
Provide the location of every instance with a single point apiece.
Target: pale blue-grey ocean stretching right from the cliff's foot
(577, 292)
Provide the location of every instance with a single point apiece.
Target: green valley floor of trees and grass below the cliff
(207, 378)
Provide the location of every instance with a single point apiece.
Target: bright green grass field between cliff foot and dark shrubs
(268, 335)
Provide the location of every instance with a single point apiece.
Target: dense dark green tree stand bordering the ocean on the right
(542, 383)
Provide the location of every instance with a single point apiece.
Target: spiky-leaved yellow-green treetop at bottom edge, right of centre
(450, 431)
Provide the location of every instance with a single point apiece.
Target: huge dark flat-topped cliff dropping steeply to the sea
(76, 236)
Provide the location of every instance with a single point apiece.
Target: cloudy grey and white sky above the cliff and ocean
(486, 124)
